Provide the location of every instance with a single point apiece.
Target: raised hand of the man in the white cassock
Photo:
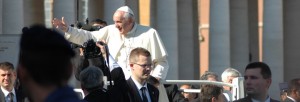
(60, 24)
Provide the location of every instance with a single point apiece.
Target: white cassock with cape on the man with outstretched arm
(120, 45)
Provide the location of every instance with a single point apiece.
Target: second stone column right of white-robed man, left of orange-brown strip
(188, 42)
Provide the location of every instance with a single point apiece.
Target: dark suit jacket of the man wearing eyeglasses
(153, 92)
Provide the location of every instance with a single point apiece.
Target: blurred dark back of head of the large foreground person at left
(46, 55)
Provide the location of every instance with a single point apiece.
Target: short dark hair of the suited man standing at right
(265, 69)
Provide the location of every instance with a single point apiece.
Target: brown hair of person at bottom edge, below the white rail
(209, 91)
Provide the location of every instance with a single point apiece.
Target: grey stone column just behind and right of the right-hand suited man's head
(273, 42)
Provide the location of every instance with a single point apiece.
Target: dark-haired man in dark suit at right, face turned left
(258, 79)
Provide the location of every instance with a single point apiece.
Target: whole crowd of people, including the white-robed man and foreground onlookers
(133, 58)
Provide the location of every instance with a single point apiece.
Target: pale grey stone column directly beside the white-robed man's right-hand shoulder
(166, 23)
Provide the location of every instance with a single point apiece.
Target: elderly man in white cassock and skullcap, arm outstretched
(122, 37)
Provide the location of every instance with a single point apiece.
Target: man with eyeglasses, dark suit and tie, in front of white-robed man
(141, 65)
